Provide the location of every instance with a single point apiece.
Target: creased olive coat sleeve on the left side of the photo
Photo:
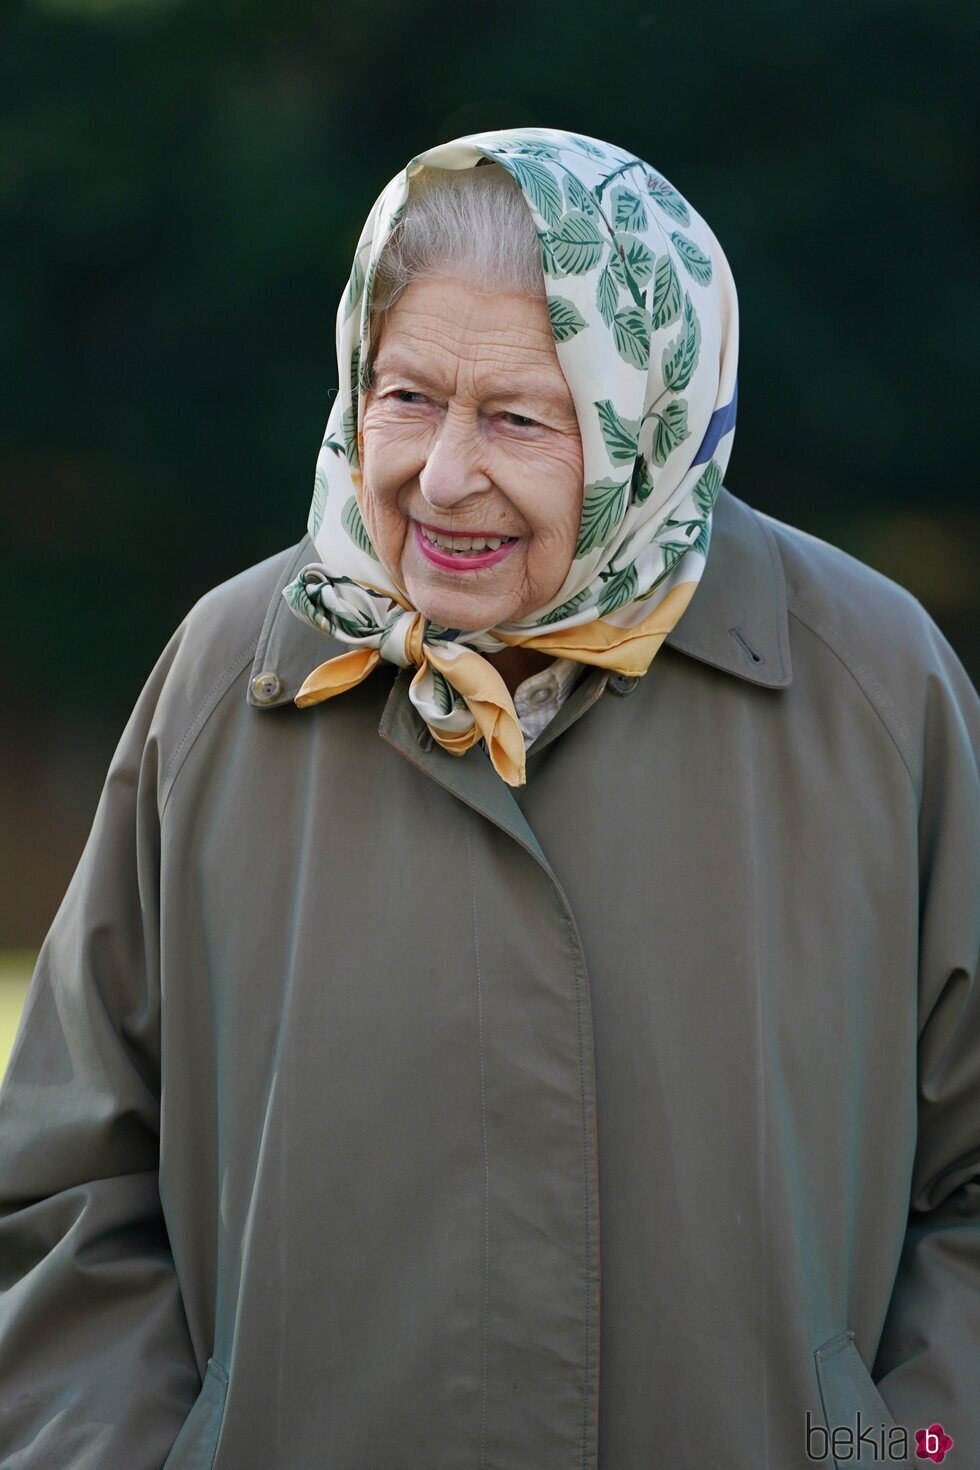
(96, 1363)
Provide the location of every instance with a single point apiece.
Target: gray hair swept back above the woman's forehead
(461, 223)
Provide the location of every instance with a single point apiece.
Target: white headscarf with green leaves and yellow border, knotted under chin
(646, 324)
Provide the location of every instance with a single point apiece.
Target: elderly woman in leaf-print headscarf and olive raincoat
(515, 1005)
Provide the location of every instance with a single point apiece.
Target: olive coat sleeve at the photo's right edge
(928, 1366)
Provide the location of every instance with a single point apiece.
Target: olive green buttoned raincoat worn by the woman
(371, 1115)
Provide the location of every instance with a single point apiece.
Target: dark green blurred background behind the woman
(181, 189)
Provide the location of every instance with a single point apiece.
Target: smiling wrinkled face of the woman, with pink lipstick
(471, 431)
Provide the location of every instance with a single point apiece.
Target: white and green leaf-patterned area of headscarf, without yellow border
(641, 355)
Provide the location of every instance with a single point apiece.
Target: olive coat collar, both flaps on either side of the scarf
(737, 620)
